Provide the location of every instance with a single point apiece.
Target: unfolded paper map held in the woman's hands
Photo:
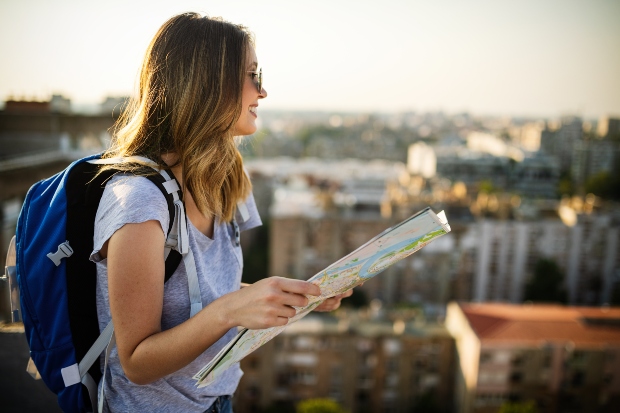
(387, 248)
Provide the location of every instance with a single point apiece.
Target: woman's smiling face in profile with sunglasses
(246, 124)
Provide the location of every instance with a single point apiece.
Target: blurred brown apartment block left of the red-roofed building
(364, 365)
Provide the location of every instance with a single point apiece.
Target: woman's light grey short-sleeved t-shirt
(133, 199)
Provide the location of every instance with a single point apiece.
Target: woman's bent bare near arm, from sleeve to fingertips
(136, 289)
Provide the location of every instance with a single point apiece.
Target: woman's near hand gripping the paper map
(267, 303)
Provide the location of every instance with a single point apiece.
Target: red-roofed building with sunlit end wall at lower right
(566, 359)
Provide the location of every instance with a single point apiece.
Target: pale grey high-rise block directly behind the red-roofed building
(507, 251)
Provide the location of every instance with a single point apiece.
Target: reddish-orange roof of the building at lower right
(536, 323)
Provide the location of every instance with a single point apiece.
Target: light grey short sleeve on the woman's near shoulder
(127, 199)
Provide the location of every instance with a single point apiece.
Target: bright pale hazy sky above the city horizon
(513, 57)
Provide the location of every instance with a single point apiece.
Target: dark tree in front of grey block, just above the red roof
(547, 283)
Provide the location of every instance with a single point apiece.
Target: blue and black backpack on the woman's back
(57, 281)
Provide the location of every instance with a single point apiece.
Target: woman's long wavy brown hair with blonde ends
(188, 101)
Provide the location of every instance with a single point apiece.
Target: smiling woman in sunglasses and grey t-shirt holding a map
(200, 86)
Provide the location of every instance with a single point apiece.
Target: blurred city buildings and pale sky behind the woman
(504, 114)
